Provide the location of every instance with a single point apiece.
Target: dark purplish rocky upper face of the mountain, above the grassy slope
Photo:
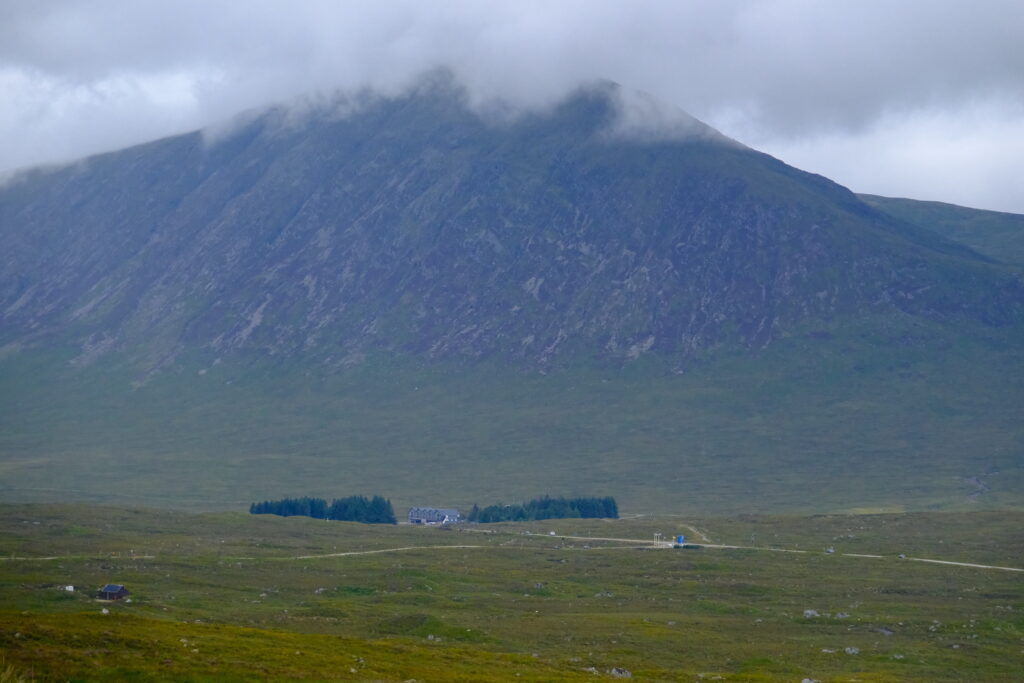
(412, 226)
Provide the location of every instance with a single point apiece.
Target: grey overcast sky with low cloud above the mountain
(900, 98)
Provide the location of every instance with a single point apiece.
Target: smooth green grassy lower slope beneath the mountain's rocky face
(818, 423)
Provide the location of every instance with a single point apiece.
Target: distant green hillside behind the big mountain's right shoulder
(998, 235)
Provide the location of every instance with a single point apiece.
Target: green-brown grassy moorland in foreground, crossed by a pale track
(239, 597)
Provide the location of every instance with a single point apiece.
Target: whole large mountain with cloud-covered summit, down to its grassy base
(402, 296)
